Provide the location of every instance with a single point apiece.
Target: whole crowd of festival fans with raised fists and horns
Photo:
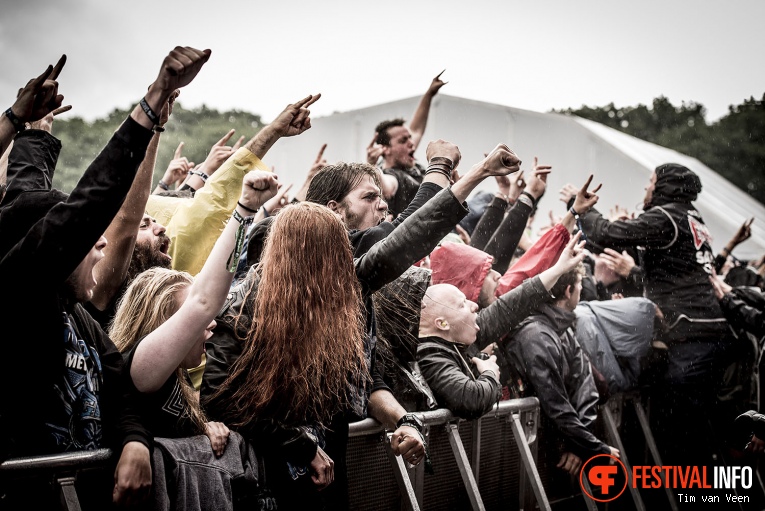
(213, 325)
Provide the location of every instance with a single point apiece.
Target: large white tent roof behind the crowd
(574, 147)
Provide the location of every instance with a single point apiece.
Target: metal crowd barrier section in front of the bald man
(489, 463)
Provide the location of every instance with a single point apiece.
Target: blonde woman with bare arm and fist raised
(165, 317)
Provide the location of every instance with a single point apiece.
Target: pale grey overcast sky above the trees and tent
(535, 55)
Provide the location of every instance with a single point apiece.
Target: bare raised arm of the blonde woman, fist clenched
(163, 350)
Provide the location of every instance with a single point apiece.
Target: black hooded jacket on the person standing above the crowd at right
(678, 257)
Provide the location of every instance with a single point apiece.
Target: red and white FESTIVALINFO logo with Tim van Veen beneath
(603, 478)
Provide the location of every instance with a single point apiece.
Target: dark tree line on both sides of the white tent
(734, 145)
